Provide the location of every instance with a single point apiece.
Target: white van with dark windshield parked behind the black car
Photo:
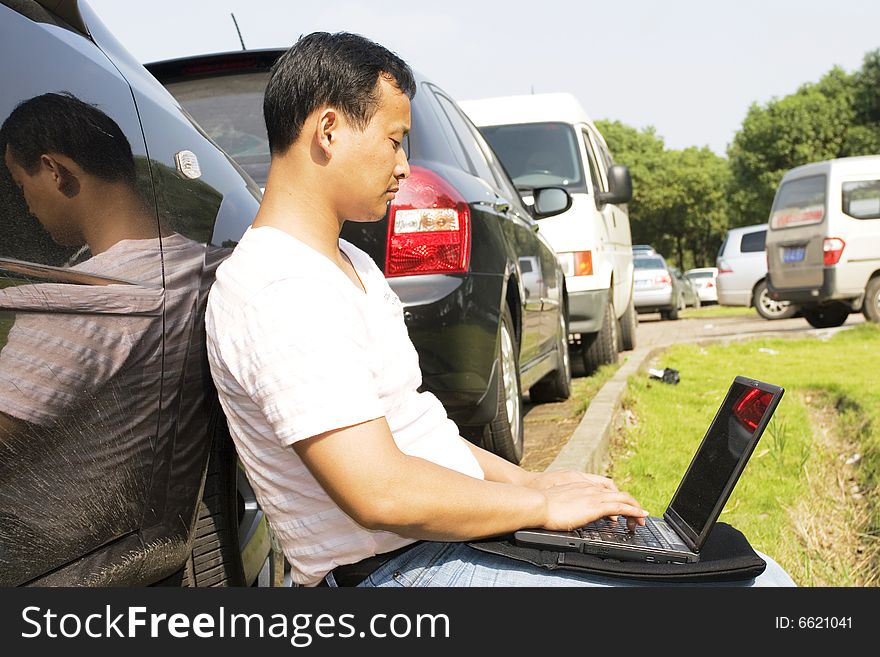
(549, 140)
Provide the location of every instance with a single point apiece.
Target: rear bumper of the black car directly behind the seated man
(455, 336)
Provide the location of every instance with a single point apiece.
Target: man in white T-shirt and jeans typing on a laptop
(318, 377)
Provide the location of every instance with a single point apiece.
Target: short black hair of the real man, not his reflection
(341, 70)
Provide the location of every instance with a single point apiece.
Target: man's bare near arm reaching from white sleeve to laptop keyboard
(382, 488)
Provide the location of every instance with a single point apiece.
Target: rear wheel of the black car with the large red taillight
(504, 435)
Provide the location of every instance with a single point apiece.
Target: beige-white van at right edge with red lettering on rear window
(823, 240)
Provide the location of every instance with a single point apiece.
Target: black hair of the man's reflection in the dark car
(62, 123)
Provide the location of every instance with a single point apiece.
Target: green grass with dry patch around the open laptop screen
(807, 497)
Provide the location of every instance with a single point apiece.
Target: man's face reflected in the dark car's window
(44, 200)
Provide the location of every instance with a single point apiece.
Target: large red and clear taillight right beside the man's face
(429, 227)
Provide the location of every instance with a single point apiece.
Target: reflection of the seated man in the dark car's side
(81, 368)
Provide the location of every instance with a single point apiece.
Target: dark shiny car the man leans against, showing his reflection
(115, 465)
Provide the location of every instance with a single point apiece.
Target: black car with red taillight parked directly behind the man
(484, 296)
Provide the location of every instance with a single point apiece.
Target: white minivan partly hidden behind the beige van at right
(742, 273)
